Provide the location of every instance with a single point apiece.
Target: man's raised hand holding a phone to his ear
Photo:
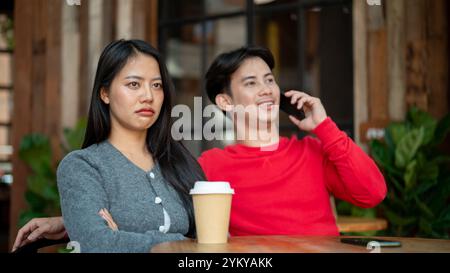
(314, 111)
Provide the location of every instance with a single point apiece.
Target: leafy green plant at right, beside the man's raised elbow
(417, 174)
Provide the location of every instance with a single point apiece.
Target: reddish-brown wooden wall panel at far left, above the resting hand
(37, 77)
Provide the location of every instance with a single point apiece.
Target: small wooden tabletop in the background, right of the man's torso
(359, 224)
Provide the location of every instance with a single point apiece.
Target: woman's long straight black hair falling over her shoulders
(179, 168)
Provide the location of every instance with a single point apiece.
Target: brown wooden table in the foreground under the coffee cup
(299, 244)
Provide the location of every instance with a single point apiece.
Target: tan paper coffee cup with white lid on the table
(212, 205)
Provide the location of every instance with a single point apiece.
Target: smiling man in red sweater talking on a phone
(282, 185)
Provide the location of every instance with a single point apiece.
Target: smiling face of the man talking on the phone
(253, 86)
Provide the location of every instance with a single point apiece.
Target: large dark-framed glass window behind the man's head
(311, 43)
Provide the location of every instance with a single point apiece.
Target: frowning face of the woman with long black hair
(136, 94)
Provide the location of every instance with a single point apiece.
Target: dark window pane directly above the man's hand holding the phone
(329, 62)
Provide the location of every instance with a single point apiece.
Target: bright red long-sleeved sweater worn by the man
(287, 191)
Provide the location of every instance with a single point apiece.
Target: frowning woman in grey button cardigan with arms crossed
(129, 167)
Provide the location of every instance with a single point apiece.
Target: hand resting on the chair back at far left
(49, 228)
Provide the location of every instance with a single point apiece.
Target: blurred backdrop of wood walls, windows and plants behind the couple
(379, 67)
